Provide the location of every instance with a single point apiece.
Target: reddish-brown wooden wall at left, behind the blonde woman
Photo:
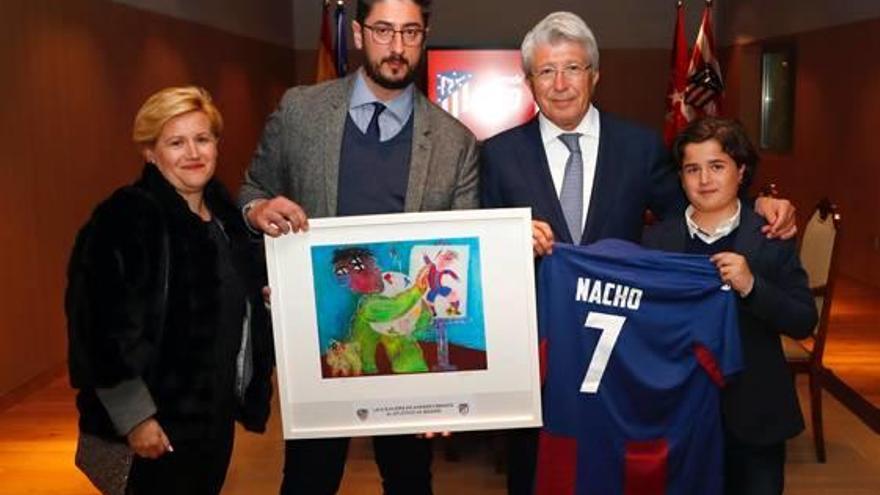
(74, 74)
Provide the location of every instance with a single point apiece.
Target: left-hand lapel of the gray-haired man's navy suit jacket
(537, 171)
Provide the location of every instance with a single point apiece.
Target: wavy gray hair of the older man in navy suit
(557, 27)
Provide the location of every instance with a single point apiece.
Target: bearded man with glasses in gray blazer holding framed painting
(368, 143)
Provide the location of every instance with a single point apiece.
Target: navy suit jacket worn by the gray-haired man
(633, 172)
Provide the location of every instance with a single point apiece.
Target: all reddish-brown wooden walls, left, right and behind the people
(75, 72)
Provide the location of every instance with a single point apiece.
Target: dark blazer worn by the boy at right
(760, 405)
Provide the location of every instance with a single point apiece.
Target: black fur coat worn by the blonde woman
(126, 328)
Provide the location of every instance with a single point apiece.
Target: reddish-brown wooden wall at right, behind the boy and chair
(837, 114)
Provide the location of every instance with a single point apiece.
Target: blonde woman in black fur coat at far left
(169, 343)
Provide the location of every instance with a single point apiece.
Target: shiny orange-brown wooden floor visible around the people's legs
(37, 435)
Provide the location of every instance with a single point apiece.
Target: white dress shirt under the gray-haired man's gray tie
(557, 152)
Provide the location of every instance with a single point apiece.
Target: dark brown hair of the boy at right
(729, 133)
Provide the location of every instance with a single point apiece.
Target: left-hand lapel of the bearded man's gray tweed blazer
(331, 127)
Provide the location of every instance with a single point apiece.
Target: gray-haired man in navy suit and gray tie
(586, 174)
